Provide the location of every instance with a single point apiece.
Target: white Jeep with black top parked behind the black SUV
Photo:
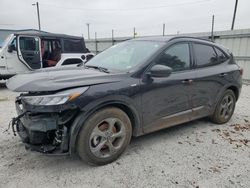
(28, 51)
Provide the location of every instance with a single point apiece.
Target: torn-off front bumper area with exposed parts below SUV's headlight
(44, 130)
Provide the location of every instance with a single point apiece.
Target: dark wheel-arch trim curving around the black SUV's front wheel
(89, 109)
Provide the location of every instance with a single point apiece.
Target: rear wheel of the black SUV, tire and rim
(224, 108)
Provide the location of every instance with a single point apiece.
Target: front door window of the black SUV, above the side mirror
(176, 57)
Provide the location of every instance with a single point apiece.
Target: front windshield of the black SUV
(124, 56)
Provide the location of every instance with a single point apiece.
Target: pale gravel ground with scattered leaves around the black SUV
(195, 154)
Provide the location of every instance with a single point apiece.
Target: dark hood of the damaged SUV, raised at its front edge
(53, 79)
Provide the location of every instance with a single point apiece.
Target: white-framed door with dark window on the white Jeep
(29, 48)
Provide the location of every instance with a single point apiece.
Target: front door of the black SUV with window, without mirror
(166, 100)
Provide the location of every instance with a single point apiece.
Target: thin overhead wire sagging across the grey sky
(129, 9)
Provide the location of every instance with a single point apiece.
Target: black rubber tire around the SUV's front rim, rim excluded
(83, 148)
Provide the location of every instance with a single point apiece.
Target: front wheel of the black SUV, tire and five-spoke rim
(104, 136)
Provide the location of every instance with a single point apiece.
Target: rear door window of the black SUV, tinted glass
(205, 55)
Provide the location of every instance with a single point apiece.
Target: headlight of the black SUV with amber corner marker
(55, 99)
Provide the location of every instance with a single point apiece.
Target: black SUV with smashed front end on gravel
(133, 88)
